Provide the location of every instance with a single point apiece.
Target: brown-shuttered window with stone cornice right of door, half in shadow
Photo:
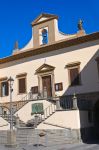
(74, 75)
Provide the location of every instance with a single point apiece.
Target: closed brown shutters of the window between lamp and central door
(22, 85)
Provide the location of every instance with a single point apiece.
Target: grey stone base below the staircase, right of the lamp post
(44, 137)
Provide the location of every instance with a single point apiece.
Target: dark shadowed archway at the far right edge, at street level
(96, 118)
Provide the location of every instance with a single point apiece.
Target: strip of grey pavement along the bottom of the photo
(76, 146)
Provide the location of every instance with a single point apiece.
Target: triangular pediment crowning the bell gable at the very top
(43, 17)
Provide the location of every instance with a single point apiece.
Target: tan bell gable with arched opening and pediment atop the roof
(44, 30)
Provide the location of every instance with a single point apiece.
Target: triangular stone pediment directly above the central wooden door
(44, 68)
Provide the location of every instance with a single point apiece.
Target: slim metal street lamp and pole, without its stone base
(10, 80)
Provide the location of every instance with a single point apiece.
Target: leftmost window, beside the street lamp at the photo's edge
(4, 88)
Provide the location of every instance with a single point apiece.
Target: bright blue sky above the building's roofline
(16, 16)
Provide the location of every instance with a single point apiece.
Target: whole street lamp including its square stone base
(11, 134)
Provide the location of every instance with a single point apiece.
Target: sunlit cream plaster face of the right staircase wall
(65, 119)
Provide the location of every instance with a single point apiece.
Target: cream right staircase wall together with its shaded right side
(73, 119)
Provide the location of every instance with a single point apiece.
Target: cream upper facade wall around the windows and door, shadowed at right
(84, 53)
